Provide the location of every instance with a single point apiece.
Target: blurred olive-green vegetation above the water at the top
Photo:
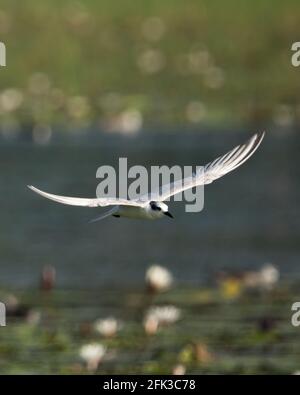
(167, 61)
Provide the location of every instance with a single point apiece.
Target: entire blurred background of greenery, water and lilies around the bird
(159, 82)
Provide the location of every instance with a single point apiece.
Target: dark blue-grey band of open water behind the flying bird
(251, 216)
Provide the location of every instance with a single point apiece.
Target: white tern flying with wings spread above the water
(152, 206)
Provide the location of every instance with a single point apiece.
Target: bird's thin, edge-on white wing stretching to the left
(96, 202)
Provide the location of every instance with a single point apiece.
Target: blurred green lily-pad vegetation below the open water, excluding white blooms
(250, 333)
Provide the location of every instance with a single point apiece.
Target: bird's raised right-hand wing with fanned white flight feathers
(213, 170)
